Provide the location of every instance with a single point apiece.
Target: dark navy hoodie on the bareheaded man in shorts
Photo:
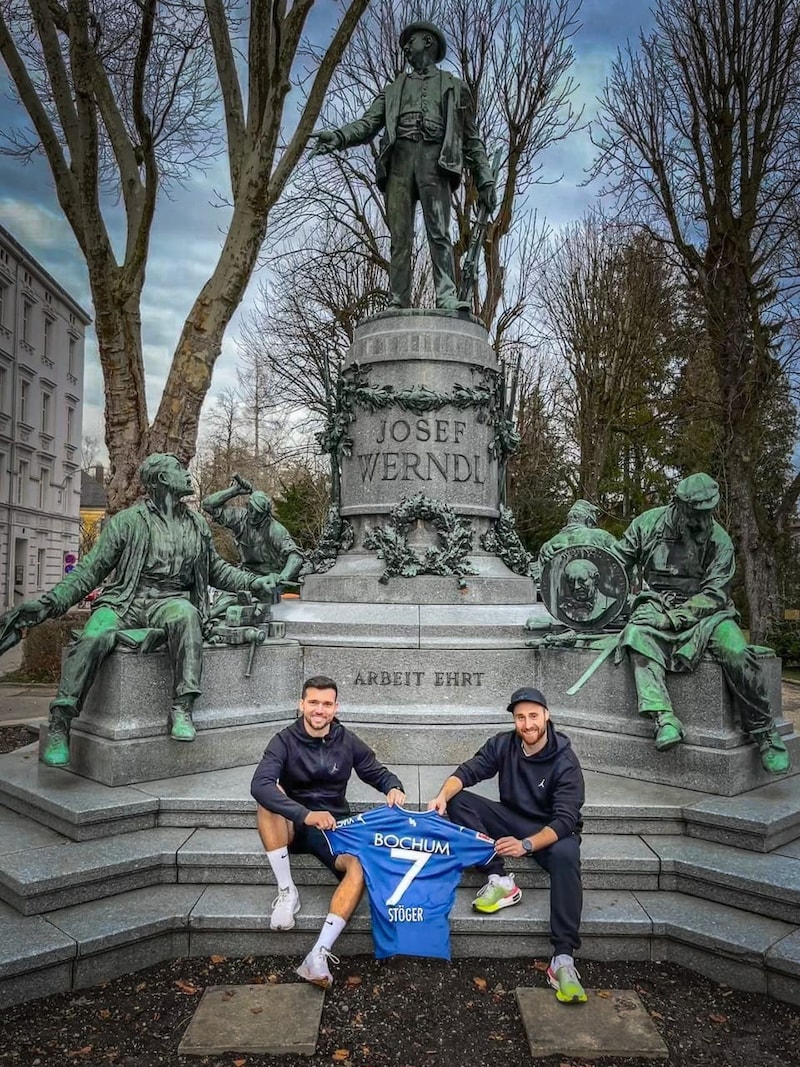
(314, 772)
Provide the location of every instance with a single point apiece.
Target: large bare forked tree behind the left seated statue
(124, 94)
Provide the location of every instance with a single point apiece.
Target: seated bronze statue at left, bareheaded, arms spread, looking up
(162, 560)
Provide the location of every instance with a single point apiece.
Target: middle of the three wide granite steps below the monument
(44, 877)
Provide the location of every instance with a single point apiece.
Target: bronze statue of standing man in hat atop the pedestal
(430, 134)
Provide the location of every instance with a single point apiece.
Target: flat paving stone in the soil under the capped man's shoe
(613, 1023)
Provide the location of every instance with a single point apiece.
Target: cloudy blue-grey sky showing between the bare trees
(188, 229)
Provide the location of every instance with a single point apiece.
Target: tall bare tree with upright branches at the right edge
(700, 138)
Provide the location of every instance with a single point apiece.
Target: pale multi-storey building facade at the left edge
(42, 339)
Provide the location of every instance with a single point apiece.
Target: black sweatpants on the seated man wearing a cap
(561, 861)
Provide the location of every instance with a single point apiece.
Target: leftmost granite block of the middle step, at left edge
(59, 877)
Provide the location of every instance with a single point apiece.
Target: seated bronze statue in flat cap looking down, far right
(687, 564)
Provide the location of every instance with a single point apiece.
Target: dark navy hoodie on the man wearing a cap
(549, 787)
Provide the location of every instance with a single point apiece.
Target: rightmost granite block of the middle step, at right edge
(767, 885)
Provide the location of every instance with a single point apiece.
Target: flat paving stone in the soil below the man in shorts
(257, 1021)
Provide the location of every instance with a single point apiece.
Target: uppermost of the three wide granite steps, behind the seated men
(762, 820)
